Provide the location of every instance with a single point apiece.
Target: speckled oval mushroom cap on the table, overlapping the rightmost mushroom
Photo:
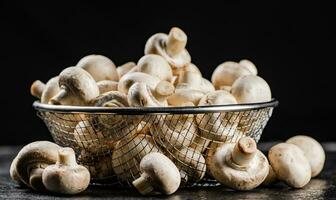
(290, 164)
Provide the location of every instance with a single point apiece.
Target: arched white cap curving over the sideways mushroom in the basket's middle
(134, 77)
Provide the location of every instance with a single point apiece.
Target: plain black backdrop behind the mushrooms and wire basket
(293, 47)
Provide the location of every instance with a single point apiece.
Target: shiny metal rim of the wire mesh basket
(153, 110)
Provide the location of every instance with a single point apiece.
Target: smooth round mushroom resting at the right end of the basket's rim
(251, 89)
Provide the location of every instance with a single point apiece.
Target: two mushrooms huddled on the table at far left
(45, 166)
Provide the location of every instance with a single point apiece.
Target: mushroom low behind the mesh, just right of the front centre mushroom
(190, 162)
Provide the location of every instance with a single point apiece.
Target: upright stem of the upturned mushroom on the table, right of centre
(244, 151)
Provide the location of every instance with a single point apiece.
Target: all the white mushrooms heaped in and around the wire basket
(163, 77)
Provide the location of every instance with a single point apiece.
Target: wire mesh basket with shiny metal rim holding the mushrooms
(111, 142)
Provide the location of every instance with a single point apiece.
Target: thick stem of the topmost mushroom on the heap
(176, 41)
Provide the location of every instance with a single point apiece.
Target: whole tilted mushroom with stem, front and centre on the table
(157, 173)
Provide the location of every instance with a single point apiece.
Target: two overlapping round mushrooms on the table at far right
(295, 161)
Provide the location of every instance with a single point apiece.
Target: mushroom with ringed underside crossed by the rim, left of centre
(114, 126)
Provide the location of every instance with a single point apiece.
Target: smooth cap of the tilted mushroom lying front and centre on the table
(162, 172)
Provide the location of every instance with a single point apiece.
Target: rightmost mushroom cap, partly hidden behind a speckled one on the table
(313, 151)
